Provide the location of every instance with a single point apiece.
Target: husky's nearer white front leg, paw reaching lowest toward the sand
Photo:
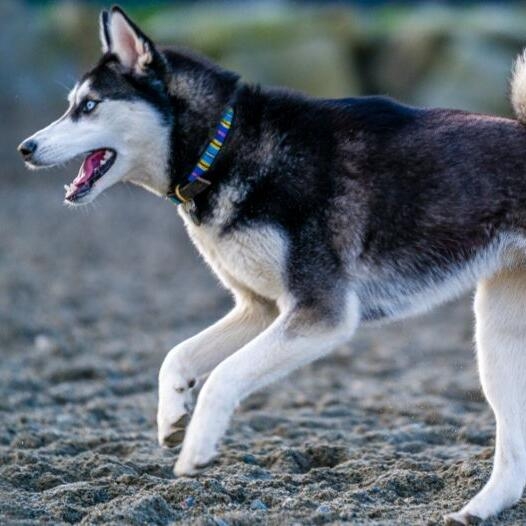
(298, 336)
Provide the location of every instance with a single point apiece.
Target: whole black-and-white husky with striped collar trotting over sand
(318, 215)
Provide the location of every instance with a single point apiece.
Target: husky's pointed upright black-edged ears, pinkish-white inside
(120, 36)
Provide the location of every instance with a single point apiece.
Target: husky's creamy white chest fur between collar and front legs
(248, 258)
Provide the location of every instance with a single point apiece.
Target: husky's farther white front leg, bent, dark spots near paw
(197, 356)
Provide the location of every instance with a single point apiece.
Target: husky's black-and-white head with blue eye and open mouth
(118, 118)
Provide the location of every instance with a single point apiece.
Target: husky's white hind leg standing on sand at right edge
(500, 308)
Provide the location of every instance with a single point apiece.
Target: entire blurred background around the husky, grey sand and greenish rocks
(92, 299)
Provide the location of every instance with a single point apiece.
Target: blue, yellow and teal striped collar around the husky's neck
(185, 194)
